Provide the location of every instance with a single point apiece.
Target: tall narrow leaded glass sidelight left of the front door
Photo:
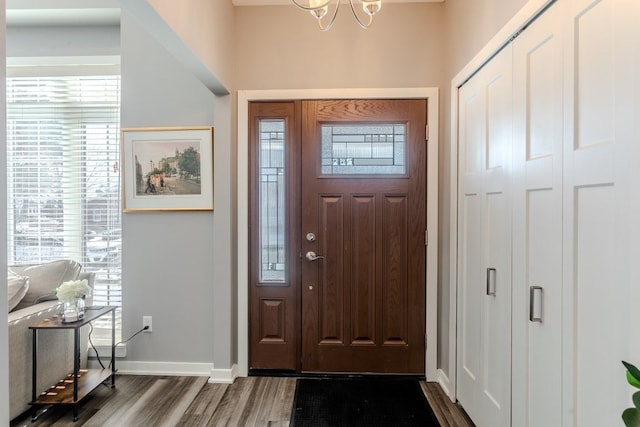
(272, 200)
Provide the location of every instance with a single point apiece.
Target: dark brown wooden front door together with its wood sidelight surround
(353, 297)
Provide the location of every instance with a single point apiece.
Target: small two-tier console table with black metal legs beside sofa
(78, 384)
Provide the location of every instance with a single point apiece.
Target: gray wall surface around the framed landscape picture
(169, 268)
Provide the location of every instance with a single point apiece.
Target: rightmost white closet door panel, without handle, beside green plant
(600, 191)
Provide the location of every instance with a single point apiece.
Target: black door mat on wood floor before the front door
(360, 402)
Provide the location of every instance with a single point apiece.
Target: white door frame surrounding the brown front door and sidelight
(242, 309)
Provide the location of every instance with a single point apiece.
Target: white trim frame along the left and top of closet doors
(530, 11)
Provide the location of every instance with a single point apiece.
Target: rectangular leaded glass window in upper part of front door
(363, 149)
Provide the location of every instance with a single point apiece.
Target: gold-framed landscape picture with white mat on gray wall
(167, 169)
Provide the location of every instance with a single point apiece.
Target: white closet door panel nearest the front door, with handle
(484, 263)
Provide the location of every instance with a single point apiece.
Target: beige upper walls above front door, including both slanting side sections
(280, 47)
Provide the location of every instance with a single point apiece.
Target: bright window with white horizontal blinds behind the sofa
(63, 177)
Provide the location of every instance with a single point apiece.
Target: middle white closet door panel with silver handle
(537, 223)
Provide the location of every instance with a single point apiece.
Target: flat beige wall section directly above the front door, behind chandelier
(282, 48)
